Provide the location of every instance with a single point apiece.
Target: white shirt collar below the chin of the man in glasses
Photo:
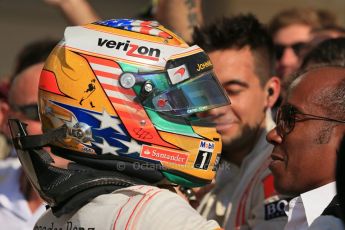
(312, 203)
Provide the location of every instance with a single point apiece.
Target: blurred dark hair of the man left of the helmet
(33, 53)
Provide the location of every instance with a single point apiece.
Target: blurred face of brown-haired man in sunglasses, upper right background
(289, 42)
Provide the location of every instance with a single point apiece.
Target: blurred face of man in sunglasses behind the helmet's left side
(23, 98)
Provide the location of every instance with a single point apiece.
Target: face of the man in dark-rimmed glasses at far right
(304, 158)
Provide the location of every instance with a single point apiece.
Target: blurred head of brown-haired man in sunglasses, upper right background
(291, 32)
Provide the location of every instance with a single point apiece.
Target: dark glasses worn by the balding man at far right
(286, 119)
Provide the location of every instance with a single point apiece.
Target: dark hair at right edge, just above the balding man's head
(328, 52)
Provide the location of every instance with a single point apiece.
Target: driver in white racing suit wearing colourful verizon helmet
(118, 99)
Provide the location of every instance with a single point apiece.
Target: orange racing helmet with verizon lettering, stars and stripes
(127, 93)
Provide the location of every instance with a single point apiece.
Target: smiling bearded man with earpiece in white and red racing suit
(243, 196)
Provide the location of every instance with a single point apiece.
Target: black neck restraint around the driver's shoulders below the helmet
(58, 185)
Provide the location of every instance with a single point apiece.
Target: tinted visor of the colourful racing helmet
(196, 95)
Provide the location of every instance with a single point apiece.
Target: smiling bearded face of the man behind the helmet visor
(238, 123)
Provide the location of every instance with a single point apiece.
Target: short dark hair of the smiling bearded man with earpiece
(236, 33)
